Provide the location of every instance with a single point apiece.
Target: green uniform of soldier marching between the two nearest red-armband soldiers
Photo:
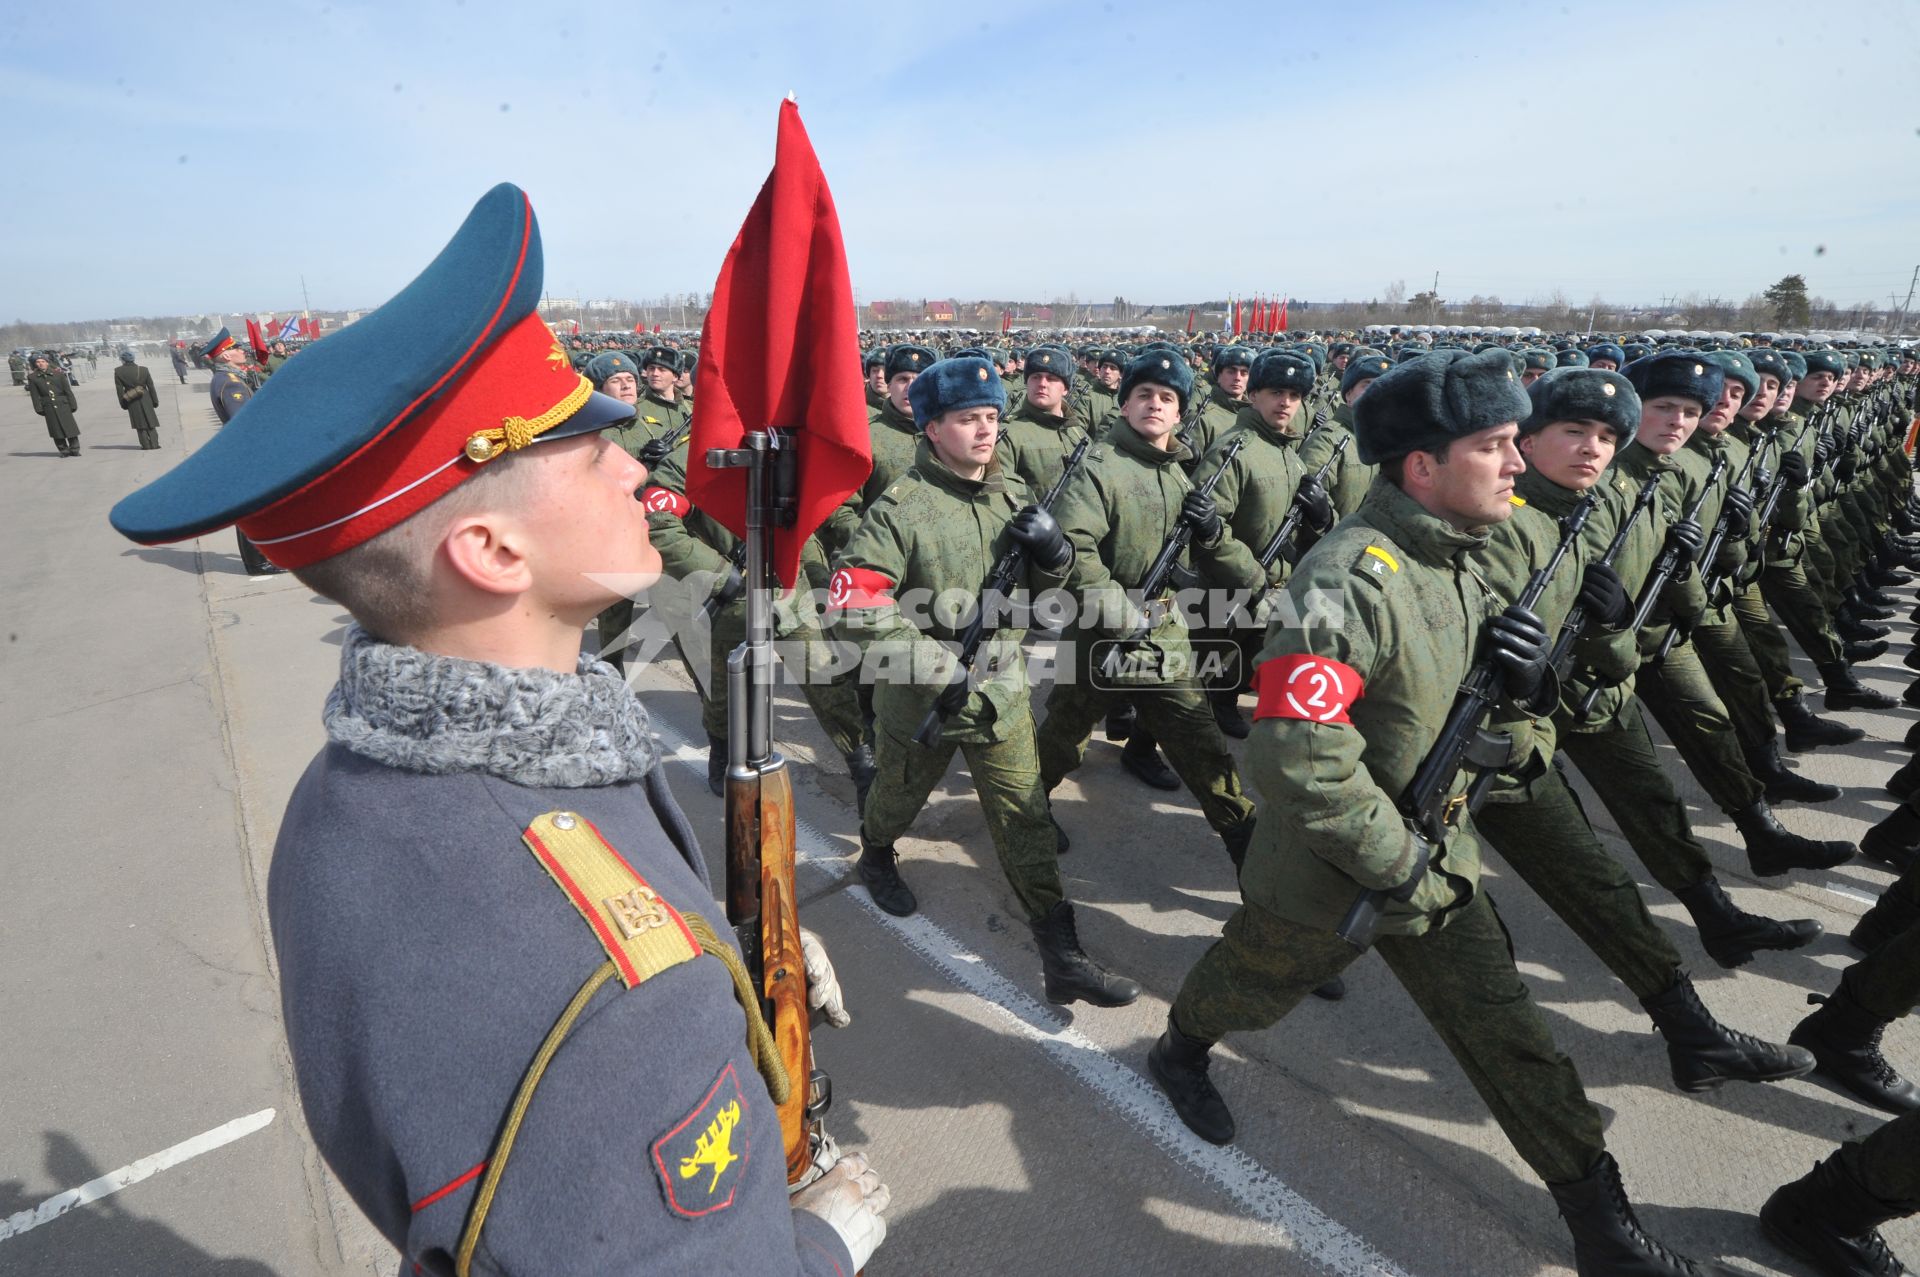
(1118, 512)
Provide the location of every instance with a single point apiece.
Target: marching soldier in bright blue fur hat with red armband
(936, 531)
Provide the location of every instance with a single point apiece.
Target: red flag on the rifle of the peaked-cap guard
(782, 349)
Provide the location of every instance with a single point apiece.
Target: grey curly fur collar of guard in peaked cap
(425, 713)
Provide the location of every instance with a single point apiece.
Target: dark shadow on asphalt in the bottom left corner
(103, 1238)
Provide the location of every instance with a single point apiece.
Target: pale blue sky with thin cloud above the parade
(1318, 151)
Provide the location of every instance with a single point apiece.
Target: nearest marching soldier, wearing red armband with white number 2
(1347, 715)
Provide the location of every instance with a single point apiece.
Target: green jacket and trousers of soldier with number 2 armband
(1412, 612)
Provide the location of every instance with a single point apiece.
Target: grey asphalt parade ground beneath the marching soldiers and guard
(160, 706)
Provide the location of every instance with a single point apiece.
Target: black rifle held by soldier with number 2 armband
(1464, 742)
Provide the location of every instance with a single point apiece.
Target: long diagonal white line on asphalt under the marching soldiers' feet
(1126, 1092)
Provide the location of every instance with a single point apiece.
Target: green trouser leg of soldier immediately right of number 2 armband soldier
(1554, 850)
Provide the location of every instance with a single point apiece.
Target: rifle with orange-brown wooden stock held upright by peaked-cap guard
(761, 902)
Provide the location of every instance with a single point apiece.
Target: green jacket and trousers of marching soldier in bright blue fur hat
(936, 533)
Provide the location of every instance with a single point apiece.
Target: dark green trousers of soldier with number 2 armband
(1464, 982)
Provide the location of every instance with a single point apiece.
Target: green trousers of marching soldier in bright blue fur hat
(1007, 775)
